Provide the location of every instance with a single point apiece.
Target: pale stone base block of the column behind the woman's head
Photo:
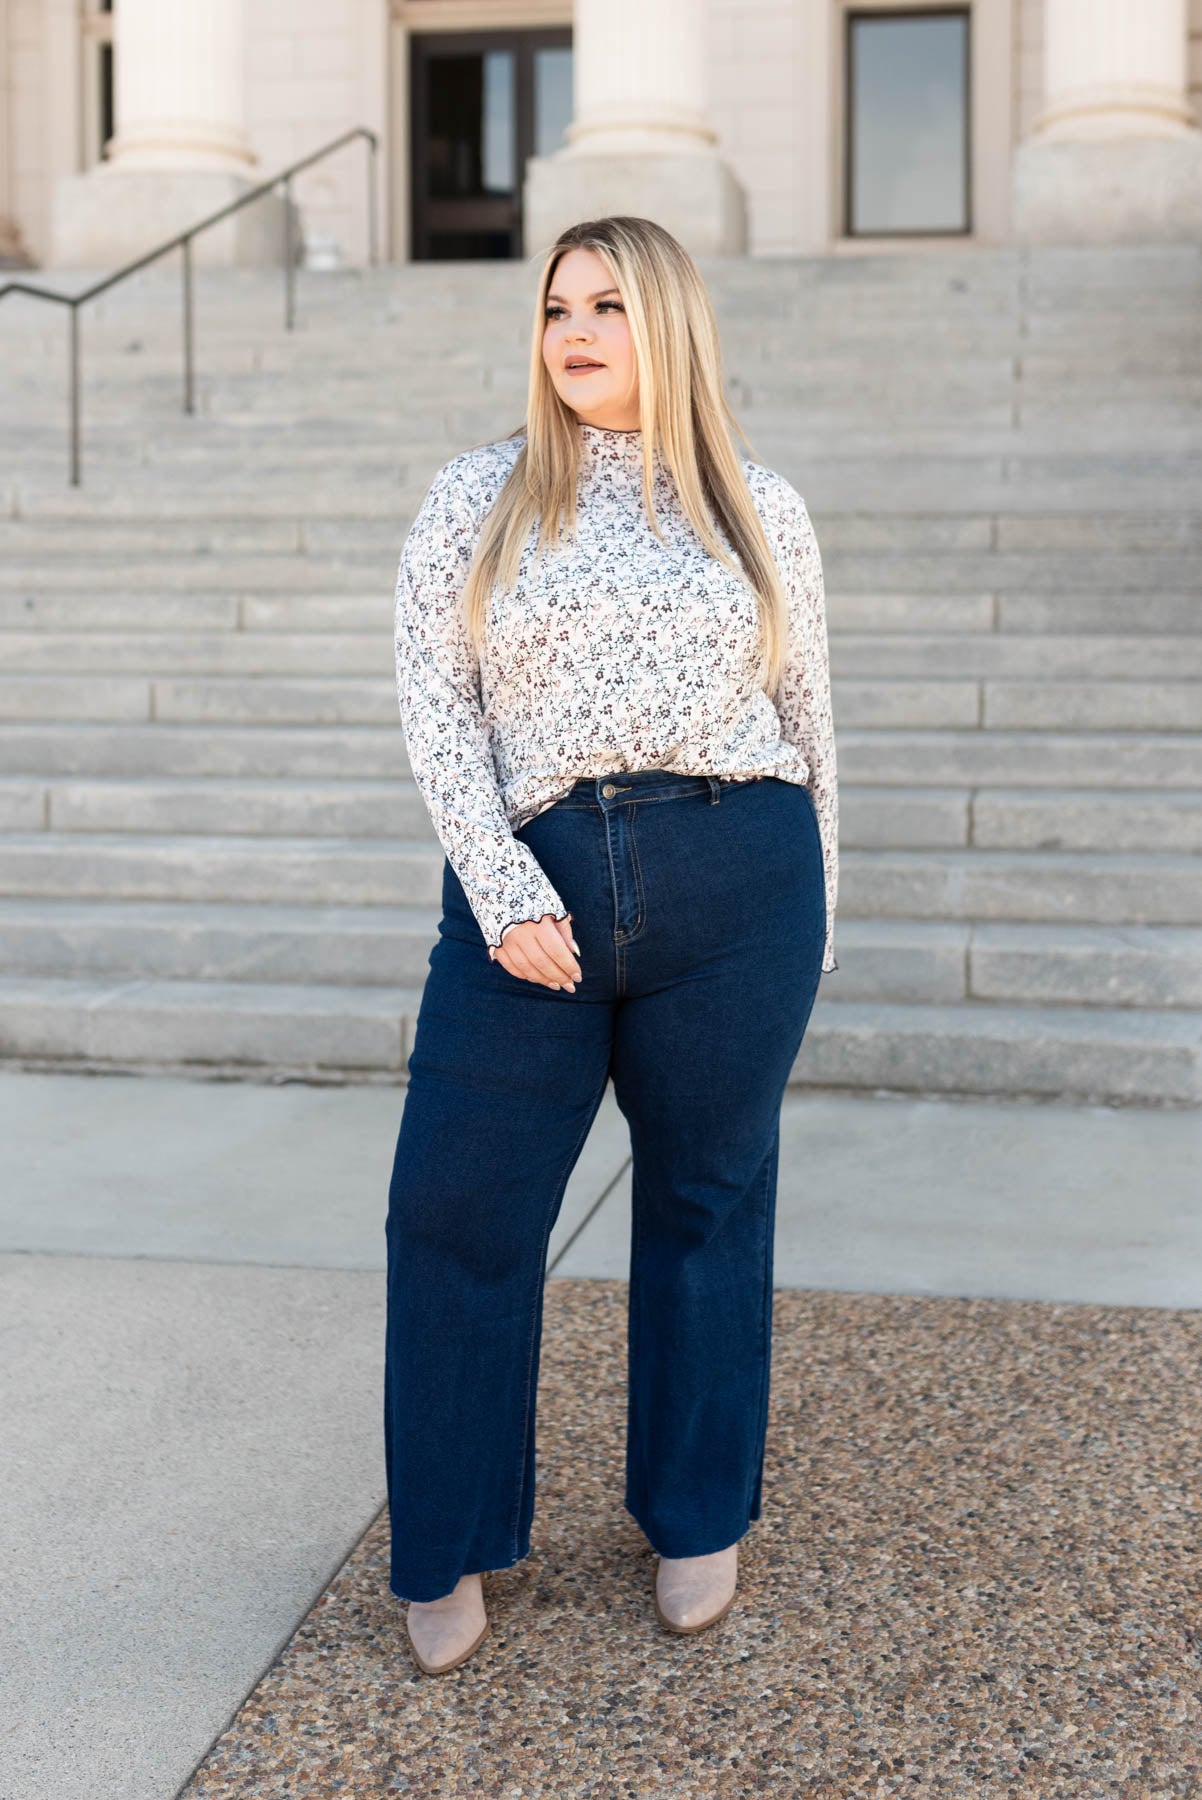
(694, 197)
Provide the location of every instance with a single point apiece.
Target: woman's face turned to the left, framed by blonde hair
(588, 323)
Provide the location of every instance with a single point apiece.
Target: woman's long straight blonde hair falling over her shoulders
(683, 409)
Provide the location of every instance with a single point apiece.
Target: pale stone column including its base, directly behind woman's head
(641, 139)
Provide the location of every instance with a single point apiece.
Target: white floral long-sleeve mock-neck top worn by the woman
(616, 654)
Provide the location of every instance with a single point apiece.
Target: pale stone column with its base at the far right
(1117, 152)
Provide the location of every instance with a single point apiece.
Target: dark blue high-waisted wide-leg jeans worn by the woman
(701, 915)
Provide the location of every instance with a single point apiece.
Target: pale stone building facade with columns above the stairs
(748, 127)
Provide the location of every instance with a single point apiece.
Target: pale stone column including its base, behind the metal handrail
(181, 147)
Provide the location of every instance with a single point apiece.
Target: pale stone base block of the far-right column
(1133, 190)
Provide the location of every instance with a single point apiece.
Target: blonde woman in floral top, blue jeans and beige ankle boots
(613, 676)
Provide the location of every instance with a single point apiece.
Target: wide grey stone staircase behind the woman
(213, 856)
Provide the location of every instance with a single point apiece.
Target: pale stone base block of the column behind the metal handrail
(109, 217)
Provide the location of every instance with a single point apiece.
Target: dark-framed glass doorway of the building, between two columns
(481, 105)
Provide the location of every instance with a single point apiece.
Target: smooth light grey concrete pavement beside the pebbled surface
(193, 1326)
